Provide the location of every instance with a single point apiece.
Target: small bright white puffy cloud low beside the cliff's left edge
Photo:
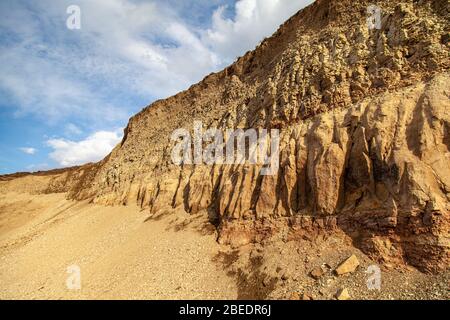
(93, 148)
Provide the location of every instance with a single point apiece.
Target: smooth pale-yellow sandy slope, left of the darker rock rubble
(122, 252)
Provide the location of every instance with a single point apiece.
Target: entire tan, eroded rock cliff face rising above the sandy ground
(364, 119)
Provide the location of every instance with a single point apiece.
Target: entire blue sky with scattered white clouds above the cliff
(66, 95)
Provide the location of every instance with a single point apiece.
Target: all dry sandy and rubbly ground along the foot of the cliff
(124, 253)
